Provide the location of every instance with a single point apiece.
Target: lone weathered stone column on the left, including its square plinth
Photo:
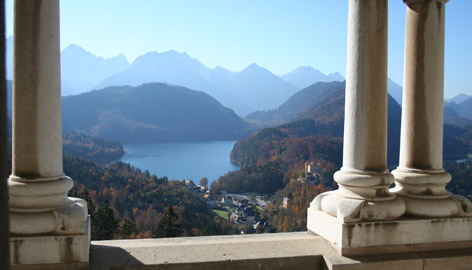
(38, 187)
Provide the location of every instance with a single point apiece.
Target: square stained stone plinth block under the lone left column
(51, 251)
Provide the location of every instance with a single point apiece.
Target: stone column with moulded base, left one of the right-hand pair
(364, 179)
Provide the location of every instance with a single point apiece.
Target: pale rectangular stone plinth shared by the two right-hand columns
(382, 237)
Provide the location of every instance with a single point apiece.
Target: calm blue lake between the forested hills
(182, 160)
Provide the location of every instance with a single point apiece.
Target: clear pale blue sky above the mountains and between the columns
(278, 35)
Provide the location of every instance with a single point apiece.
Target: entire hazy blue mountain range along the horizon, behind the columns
(251, 89)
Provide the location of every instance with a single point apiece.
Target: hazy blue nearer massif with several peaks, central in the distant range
(253, 88)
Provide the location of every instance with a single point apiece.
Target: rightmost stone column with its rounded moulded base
(420, 177)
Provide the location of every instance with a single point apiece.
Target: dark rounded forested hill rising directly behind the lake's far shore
(153, 112)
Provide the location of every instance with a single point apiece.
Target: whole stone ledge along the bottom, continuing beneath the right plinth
(299, 250)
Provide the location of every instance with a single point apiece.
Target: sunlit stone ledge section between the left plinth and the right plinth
(210, 250)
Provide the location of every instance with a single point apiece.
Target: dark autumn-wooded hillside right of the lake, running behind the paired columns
(318, 131)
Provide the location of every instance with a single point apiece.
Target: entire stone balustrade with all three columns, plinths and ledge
(363, 217)
